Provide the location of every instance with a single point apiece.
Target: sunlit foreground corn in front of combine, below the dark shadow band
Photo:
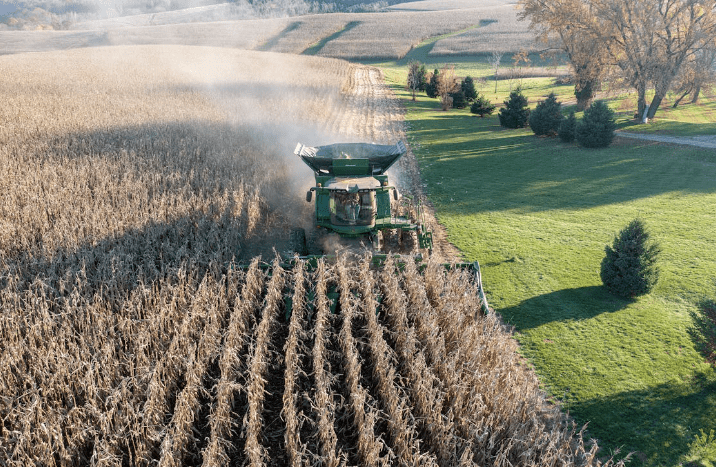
(337, 365)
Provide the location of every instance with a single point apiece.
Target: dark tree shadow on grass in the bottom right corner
(656, 423)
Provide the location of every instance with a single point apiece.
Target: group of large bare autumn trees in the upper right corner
(649, 45)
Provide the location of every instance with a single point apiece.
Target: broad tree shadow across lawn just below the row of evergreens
(513, 169)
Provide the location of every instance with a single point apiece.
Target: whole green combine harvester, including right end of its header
(355, 201)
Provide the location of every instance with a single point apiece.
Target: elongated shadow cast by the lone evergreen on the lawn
(563, 305)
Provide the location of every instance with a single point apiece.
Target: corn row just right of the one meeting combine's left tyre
(325, 410)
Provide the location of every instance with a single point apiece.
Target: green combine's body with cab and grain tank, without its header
(354, 197)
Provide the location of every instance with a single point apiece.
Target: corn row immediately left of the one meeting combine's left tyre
(258, 365)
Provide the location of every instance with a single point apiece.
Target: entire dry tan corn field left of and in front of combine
(138, 325)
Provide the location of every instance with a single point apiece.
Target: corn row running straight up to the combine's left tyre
(293, 353)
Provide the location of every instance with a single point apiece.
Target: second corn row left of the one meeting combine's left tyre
(221, 422)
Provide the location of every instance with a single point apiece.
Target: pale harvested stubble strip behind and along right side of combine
(371, 113)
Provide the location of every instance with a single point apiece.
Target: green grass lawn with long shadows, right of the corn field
(537, 214)
